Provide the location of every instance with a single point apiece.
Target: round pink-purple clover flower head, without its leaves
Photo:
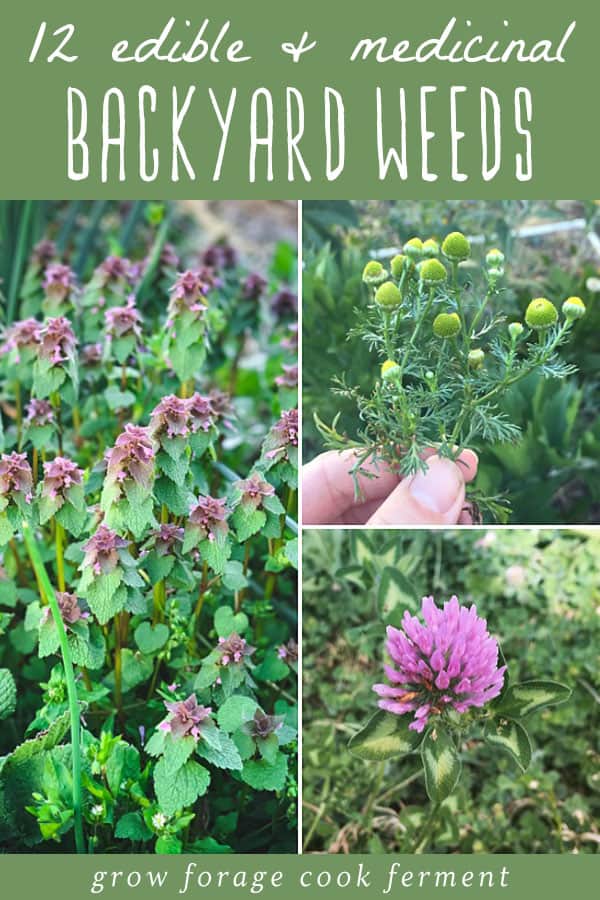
(450, 661)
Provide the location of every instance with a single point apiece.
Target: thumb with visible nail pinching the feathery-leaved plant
(434, 497)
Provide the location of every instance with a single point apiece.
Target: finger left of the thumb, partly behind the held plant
(328, 488)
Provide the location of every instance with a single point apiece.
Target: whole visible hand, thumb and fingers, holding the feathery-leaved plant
(434, 497)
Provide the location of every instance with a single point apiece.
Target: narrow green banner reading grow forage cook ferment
(427, 876)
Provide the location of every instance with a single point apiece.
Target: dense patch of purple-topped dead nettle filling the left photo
(156, 584)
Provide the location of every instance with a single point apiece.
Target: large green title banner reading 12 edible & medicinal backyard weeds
(299, 100)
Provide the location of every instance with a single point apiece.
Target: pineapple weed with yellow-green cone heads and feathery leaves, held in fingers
(447, 357)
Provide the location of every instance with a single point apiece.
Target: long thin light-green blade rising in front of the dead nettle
(42, 576)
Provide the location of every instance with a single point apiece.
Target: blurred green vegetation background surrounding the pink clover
(540, 592)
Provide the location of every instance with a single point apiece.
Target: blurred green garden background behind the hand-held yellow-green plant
(553, 250)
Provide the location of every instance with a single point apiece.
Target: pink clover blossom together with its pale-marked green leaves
(448, 682)
